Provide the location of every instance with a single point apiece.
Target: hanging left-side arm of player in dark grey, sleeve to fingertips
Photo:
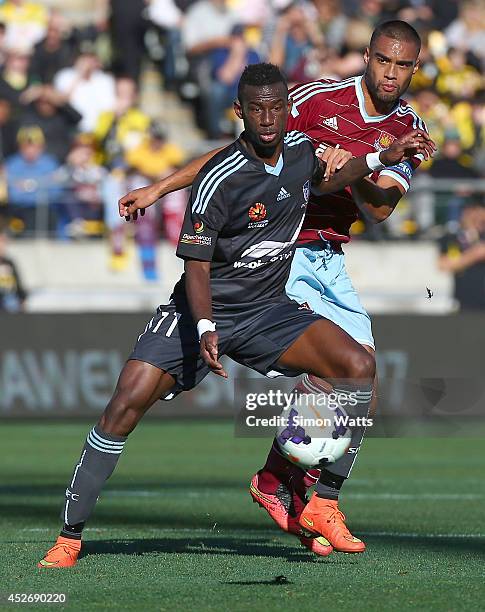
(205, 216)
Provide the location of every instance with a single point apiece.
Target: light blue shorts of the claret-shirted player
(318, 277)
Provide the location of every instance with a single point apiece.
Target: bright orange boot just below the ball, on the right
(322, 517)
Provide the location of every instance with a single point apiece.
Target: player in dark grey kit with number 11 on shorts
(231, 299)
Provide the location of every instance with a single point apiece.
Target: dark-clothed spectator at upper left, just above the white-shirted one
(53, 53)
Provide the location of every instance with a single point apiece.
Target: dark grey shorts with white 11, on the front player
(254, 334)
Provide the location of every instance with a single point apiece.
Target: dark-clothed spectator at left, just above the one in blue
(54, 115)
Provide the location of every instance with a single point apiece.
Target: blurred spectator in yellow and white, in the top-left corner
(25, 21)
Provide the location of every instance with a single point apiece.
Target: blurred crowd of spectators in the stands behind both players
(73, 136)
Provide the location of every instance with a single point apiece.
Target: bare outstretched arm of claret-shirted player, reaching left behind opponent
(139, 199)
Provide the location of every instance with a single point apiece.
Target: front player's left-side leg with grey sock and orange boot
(139, 386)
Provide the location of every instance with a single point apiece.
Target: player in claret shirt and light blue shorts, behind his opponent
(360, 115)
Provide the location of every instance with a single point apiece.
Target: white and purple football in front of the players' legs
(314, 435)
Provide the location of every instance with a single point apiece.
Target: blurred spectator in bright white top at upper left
(89, 89)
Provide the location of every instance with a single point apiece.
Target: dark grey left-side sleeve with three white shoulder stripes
(205, 216)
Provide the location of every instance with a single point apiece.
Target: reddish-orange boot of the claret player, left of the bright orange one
(285, 507)
